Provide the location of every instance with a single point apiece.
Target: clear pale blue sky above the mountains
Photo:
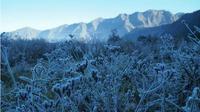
(45, 14)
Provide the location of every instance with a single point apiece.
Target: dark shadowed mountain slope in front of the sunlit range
(176, 28)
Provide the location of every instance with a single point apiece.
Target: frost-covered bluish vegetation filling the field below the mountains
(151, 74)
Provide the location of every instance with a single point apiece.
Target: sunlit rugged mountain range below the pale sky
(101, 28)
